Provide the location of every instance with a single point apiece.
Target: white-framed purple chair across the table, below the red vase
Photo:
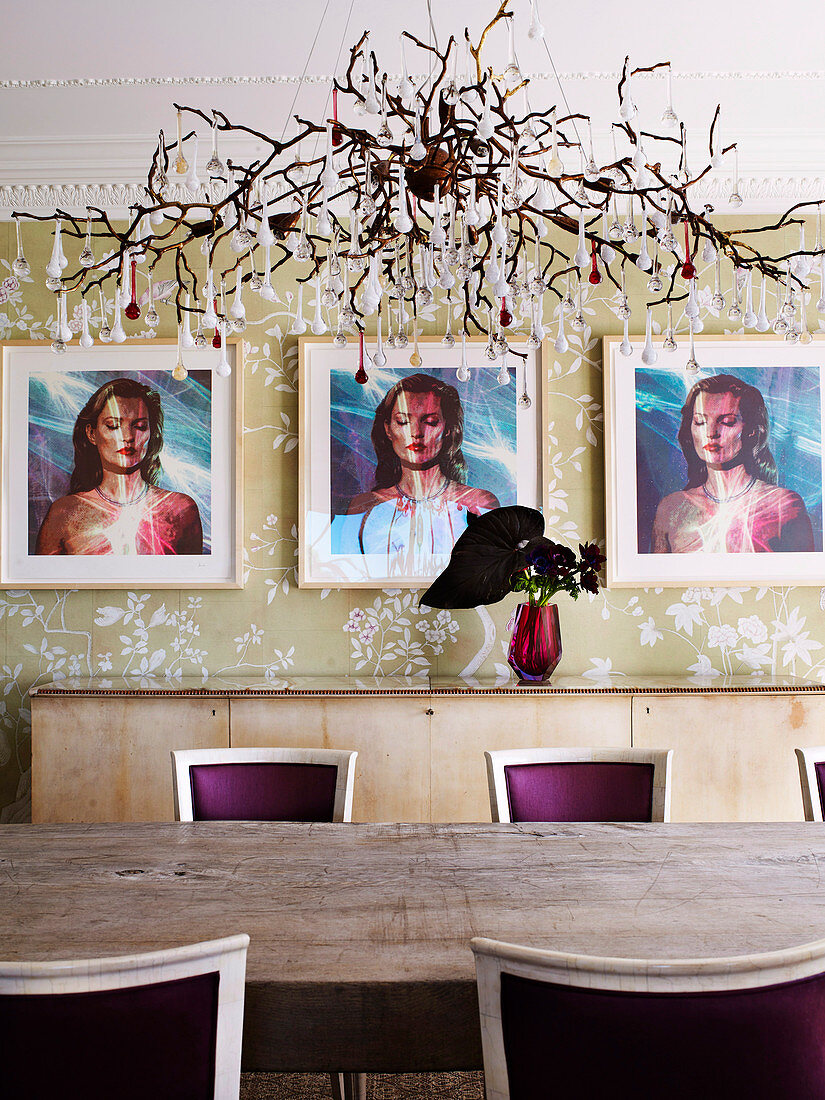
(579, 785)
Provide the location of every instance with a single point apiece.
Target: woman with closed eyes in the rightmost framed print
(732, 502)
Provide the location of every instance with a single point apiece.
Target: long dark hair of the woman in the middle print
(452, 459)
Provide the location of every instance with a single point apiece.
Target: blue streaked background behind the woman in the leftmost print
(186, 459)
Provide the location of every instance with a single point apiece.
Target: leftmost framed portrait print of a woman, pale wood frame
(115, 475)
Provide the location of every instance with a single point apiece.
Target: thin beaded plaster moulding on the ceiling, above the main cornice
(142, 82)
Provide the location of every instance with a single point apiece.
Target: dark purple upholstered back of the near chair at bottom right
(763, 1043)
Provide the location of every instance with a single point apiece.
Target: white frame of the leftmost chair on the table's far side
(183, 760)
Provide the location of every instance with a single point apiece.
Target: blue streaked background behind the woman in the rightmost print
(794, 402)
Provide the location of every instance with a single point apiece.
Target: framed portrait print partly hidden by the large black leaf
(391, 470)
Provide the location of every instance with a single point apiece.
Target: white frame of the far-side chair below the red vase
(498, 762)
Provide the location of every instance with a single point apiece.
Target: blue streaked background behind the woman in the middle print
(490, 443)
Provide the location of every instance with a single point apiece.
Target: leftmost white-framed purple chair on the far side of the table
(263, 785)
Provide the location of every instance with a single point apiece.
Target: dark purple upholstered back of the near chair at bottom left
(135, 1044)
